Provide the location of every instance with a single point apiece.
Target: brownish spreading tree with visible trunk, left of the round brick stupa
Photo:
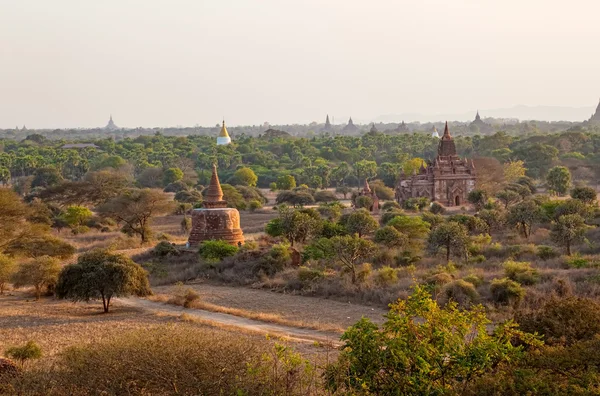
(135, 209)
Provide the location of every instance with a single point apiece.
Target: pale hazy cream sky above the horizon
(70, 63)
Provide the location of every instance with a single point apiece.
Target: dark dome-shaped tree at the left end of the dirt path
(100, 274)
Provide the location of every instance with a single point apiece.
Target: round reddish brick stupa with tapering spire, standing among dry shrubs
(215, 220)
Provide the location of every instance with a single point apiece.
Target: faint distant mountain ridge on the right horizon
(521, 112)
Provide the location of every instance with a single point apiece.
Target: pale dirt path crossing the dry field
(293, 333)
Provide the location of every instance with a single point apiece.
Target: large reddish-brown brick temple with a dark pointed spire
(448, 179)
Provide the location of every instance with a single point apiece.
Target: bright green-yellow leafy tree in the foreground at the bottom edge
(423, 349)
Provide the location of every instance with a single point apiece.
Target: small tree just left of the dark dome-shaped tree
(39, 273)
